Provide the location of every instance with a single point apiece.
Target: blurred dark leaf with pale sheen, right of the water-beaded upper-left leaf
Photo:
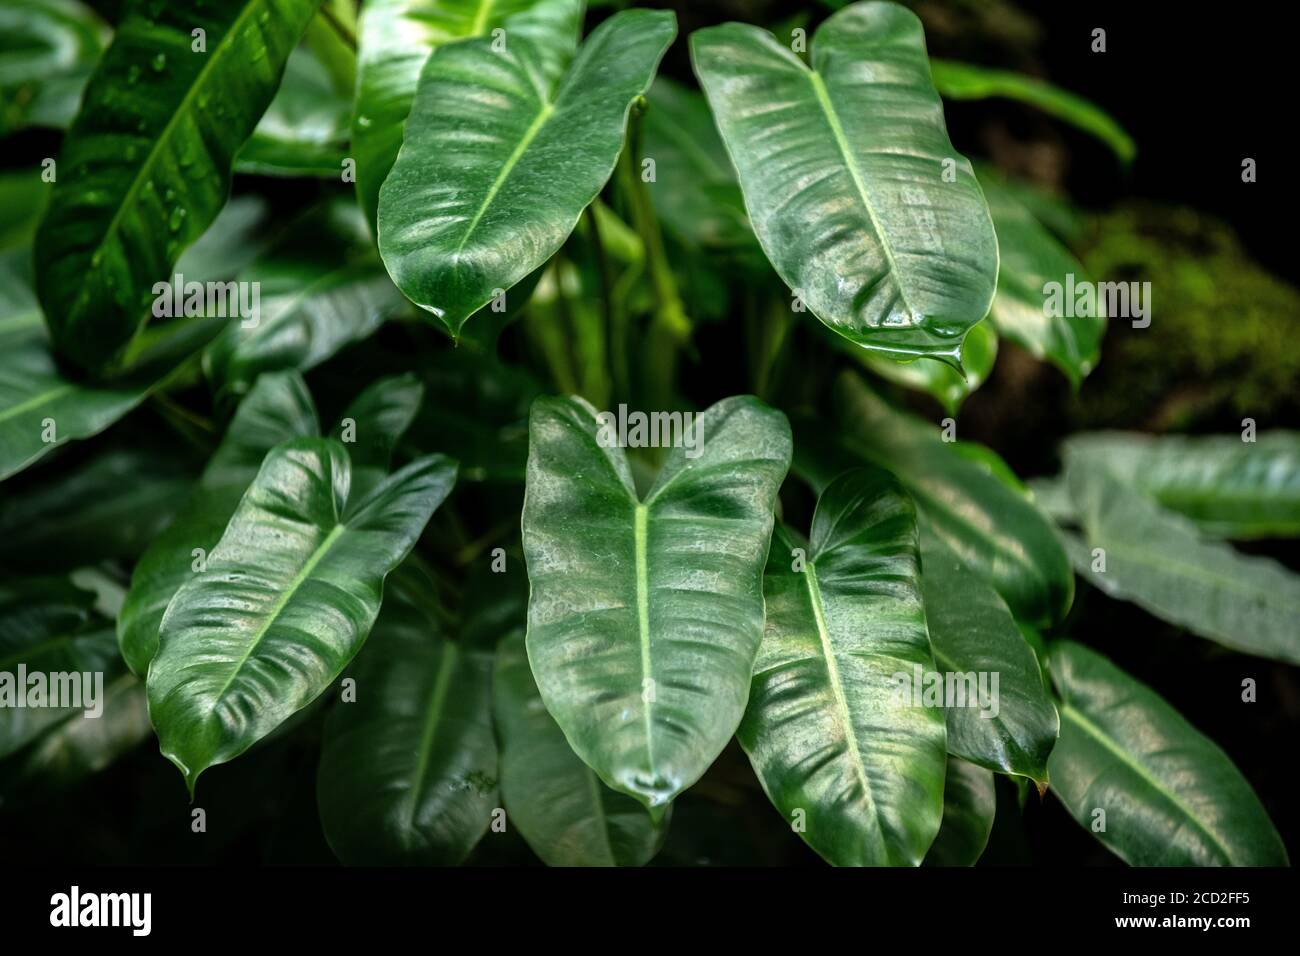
(314, 297)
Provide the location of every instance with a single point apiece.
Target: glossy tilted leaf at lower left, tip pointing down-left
(288, 598)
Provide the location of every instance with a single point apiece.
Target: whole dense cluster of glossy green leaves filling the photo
(551, 207)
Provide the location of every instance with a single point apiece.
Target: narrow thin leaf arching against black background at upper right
(961, 81)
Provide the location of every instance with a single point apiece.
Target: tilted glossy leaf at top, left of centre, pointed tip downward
(479, 197)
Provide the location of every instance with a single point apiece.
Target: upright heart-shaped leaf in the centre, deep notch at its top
(647, 612)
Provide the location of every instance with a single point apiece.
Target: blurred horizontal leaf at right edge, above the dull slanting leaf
(1229, 487)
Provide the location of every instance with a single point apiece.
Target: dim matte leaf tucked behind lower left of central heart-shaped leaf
(569, 817)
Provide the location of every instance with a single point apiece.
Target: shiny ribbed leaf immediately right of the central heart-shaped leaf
(855, 765)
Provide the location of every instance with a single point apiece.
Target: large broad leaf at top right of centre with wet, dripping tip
(846, 174)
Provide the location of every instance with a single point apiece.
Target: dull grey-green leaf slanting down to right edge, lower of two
(1158, 560)
